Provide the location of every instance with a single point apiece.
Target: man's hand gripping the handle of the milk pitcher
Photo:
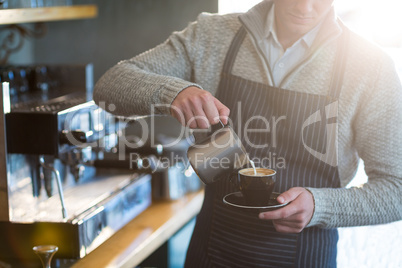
(197, 108)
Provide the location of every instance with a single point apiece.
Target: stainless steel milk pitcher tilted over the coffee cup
(217, 154)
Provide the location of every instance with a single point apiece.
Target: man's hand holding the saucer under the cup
(295, 216)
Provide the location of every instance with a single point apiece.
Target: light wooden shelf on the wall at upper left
(27, 15)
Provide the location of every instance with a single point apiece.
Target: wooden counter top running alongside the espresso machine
(144, 234)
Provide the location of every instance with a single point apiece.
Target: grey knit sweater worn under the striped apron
(370, 105)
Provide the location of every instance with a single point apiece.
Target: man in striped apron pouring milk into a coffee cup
(320, 97)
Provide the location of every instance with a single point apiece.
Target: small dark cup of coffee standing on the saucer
(256, 185)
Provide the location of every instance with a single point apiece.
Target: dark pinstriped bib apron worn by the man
(301, 147)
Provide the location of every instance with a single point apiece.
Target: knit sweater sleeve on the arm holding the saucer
(377, 129)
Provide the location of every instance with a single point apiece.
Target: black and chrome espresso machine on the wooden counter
(59, 181)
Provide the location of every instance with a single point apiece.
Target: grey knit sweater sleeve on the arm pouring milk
(150, 81)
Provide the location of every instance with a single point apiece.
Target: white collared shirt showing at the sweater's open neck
(281, 61)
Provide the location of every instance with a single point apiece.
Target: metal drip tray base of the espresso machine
(93, 218)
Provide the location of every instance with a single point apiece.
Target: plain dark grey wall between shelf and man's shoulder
(122, 29)
